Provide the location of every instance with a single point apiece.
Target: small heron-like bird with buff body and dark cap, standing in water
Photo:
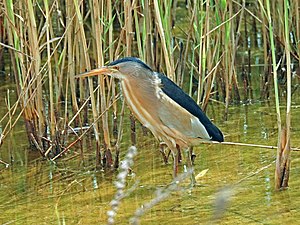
(160, 105)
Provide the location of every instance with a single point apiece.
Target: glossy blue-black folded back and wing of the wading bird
(185, 101)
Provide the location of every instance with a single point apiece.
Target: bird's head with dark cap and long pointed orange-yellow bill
(121, 69)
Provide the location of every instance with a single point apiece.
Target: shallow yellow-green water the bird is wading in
(237, 188)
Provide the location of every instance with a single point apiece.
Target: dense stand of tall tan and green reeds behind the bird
(204, 46)
